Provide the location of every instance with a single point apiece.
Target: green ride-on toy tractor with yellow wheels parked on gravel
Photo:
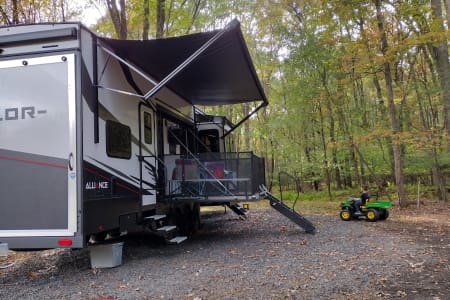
(373, 210)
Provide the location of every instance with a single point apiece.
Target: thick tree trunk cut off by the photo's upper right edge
(441, 57)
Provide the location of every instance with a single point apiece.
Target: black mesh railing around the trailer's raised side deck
(214, 177)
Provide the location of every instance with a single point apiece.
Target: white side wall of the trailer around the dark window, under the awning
(118, 101)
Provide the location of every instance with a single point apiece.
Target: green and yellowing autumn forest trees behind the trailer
(359, 91)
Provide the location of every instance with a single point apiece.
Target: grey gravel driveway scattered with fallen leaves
(263, 257)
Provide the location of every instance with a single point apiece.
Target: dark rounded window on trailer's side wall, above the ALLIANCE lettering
(118, 140)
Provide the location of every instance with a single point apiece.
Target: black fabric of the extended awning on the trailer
(222, 74)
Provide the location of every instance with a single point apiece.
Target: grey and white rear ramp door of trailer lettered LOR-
(38, 157)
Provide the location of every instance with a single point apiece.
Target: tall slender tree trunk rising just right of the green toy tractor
(396, 149)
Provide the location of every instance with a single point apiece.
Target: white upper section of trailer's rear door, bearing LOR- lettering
(28, 102)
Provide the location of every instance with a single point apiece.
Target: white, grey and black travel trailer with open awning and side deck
(100, 137)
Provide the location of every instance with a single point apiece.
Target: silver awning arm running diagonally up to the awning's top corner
(189, 60)
